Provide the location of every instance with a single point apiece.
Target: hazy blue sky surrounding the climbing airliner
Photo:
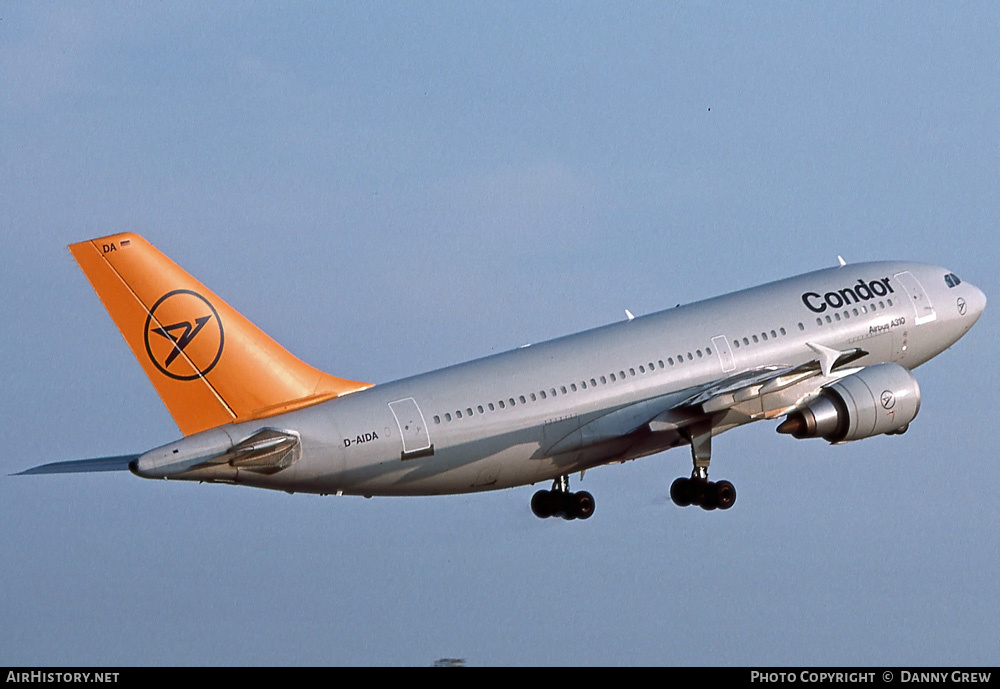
(387, 188)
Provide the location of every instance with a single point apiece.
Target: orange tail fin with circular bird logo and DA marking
(209, 364)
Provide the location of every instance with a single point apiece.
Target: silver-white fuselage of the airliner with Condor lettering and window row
(609, 394)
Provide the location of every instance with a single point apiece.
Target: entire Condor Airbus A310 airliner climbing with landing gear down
(828, 353)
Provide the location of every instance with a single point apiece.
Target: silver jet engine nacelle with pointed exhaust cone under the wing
(878, 399)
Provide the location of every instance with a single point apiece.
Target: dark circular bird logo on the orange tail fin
(173, 332)
